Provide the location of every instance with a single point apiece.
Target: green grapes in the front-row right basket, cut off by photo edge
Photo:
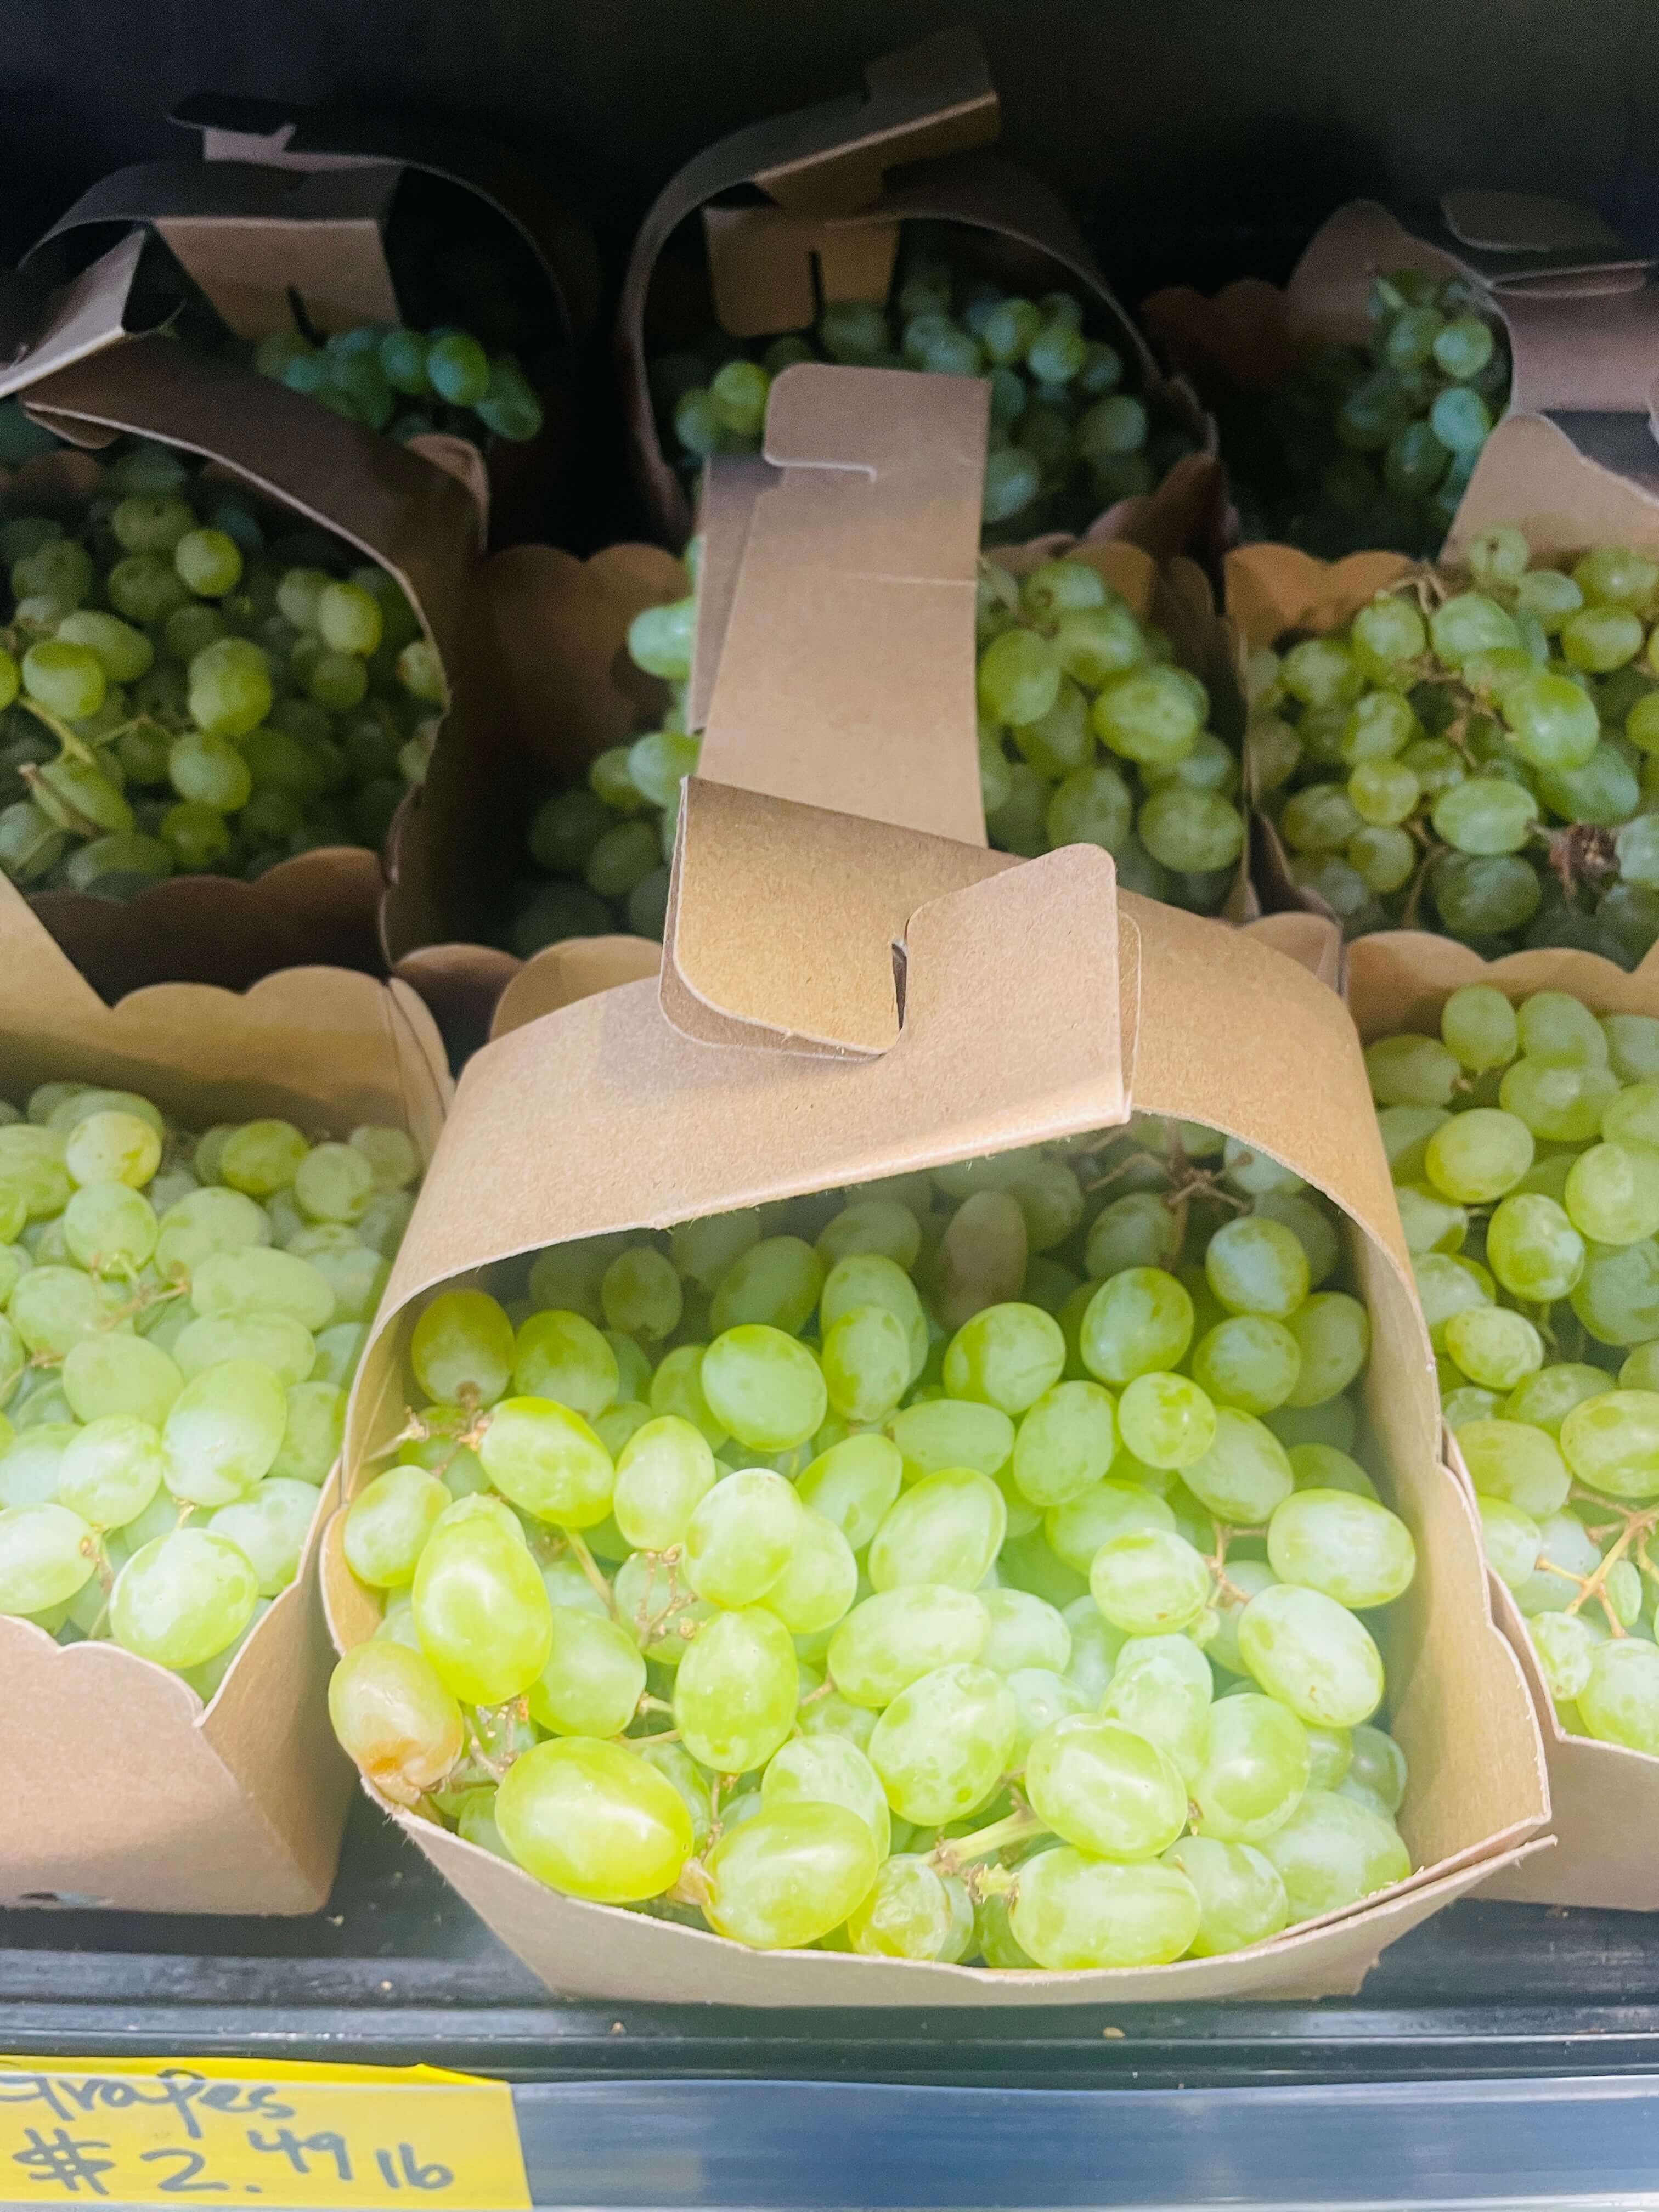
(1525, 1149)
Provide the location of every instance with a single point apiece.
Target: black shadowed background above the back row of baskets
(1198, 138)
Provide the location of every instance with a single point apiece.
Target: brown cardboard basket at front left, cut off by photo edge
(125, 1788)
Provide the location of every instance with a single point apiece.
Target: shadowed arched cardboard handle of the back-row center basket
(842, 182)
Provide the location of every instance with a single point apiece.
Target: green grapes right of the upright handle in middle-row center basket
(1092, 735)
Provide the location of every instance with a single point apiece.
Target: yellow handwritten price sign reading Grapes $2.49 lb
(247, 2133)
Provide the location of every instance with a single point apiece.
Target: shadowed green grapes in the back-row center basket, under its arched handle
(1067, 439)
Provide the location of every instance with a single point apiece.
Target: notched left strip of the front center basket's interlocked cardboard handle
(1014, 1034)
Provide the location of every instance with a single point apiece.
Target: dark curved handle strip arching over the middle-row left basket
(397, 508)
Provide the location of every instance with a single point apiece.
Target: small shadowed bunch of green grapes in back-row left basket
(406, 382)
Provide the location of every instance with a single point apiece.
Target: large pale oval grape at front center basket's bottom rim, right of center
(1078, 1912)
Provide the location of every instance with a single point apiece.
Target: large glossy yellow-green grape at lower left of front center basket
(594, 1819)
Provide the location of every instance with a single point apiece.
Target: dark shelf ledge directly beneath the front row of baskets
(401, 1972)
